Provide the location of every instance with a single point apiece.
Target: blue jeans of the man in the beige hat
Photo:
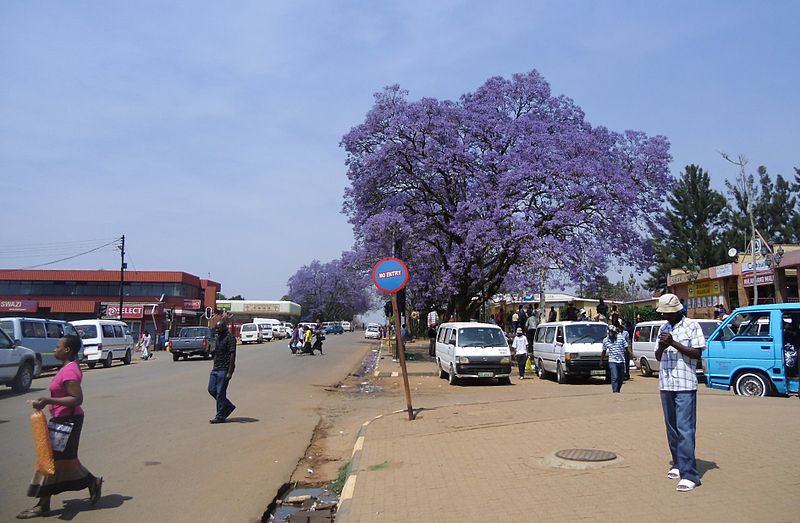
(680, 417)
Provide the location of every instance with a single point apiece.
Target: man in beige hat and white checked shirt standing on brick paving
(679, 346)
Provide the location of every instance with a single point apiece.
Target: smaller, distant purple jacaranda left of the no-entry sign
(330, 291)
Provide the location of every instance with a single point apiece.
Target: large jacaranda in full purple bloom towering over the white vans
(487, 190)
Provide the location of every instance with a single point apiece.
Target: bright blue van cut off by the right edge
(749, 351)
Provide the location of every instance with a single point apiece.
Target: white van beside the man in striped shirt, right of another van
(569, 348)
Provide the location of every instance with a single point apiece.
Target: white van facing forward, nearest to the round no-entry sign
(472, 350)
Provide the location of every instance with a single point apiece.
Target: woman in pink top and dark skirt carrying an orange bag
(65, 401)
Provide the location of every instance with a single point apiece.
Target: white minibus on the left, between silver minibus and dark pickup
(105, 341)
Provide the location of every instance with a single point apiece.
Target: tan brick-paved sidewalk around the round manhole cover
(483, 460)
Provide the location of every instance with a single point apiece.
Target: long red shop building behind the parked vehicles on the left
(151, 300)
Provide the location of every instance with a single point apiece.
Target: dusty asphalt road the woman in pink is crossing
(147, 433)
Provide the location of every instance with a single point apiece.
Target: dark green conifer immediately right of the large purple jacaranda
(691, 227)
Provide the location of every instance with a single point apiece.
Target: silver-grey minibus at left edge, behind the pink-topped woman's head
(39, 335)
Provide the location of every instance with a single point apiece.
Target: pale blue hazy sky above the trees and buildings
(208, 132)
